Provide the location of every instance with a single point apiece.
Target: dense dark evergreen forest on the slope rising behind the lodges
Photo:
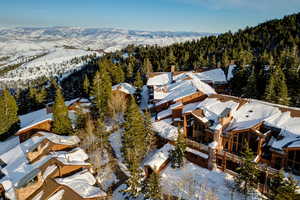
(267, 57)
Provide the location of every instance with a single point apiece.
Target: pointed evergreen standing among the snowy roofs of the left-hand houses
(61, 121)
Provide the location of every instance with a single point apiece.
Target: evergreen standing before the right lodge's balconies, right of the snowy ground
(247, 178)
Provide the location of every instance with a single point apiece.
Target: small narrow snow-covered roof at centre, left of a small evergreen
(159, 157)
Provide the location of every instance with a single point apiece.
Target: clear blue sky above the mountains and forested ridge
(172, 15)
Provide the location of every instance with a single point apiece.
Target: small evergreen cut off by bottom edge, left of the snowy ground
(151, 187)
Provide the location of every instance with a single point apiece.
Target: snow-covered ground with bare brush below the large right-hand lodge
(193, 182)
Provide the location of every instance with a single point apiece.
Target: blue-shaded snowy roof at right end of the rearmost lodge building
(214, 75)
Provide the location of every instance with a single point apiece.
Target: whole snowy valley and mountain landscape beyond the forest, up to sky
(47, 51)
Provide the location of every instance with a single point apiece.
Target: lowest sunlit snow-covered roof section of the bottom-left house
(82, 183)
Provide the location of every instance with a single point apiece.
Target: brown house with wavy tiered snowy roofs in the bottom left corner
(43, 165)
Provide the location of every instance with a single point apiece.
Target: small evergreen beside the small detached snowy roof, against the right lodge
(177, 154)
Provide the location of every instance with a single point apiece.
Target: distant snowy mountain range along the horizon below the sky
(22, 39)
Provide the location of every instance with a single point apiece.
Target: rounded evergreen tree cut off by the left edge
(9, 120)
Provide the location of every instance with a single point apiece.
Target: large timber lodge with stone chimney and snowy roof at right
(220, 126)
